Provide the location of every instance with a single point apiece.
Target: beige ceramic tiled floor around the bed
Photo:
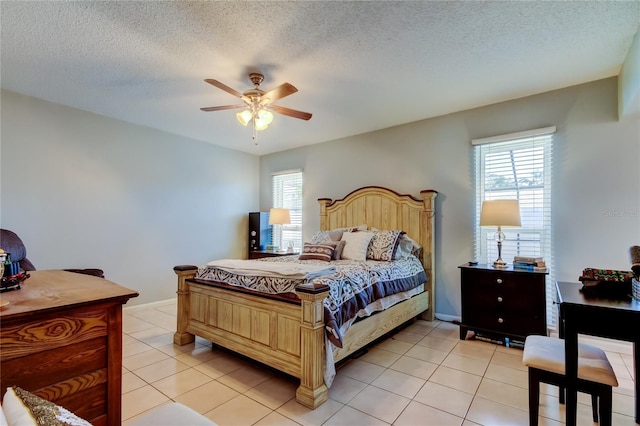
(424, 375)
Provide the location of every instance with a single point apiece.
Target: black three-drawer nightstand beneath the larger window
(502, 303)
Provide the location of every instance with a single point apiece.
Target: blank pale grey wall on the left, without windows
(83, 190)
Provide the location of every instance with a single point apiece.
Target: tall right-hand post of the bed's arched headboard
(428, 253)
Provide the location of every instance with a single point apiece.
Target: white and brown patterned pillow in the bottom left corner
(24, 408)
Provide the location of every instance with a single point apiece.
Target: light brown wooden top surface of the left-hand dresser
(56, 289)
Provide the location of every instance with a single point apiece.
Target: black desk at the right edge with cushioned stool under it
(615, 318)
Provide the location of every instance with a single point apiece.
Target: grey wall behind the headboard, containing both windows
(596, 197)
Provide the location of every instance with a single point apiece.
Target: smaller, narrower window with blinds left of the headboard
(287, 194)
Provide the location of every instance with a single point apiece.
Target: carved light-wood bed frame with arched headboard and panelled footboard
(291, 336)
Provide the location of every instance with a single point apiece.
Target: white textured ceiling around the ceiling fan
(358, 66)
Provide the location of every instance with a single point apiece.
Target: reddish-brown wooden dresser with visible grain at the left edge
(61, 338)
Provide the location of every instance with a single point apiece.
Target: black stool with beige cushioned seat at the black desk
(544, 357)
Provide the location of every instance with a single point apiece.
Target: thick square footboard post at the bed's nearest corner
(312, 390)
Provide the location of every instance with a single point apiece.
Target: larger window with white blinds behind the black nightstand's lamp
(517, 166)
